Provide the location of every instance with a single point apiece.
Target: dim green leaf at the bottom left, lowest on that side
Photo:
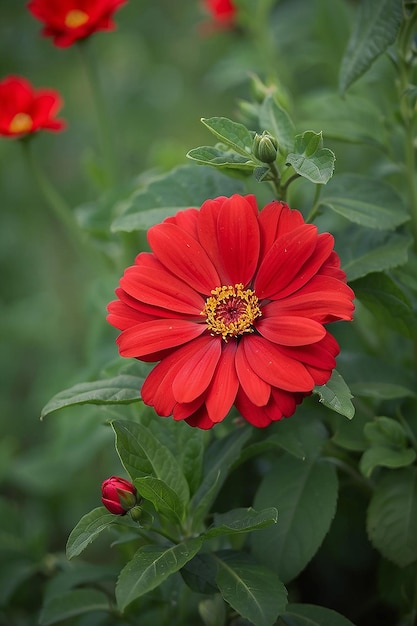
(72, 603)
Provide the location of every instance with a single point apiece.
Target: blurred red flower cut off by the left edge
(25, 110)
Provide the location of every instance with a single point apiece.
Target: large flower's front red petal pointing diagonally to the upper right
(284, 261)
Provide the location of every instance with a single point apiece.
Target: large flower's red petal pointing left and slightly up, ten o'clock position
(159, 288)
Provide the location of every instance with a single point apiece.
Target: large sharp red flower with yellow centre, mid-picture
(232, 303)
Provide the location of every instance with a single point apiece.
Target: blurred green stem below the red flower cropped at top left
(104, 127)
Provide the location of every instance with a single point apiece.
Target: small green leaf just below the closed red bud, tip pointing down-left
(89, 528)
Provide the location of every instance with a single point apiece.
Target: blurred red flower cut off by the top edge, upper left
(66, 21)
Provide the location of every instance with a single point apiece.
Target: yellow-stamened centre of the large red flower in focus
(231, 311)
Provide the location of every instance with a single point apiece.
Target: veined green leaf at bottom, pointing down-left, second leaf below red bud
(150, 566)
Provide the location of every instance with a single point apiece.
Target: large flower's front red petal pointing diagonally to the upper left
(183, 255)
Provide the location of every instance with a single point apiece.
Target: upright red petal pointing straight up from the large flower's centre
(238, 238)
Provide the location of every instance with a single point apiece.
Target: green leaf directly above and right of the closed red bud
(143, 455)
